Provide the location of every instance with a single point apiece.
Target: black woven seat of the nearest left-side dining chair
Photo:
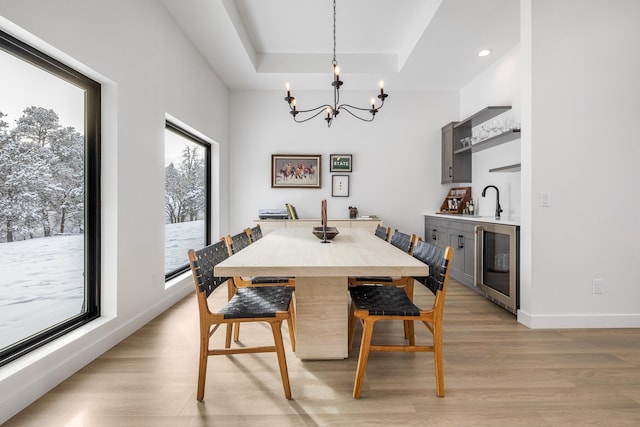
(258, 302)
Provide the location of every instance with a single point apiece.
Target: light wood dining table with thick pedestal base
(321, 271)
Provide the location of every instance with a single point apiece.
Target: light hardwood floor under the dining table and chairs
(497, 373)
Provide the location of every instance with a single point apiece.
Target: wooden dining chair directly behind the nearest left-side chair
(236, 243)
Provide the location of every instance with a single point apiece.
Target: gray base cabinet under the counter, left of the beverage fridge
(459, 235)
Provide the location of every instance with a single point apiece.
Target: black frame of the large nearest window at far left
(92, 177)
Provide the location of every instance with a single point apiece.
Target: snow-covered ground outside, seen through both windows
(42, 284)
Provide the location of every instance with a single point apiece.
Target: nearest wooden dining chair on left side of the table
(269, 304)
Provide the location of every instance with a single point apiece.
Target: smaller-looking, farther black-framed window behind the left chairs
(187, 197)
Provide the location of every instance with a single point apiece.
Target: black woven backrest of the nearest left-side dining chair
(202, 263)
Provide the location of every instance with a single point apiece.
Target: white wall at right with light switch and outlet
(583, 89)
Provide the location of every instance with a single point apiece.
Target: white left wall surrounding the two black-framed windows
(148, 69)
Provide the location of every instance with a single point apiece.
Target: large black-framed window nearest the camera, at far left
(49, 198)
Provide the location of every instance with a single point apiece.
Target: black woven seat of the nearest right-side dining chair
(383, 301)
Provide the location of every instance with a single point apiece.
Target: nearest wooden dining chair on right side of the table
(370, 304)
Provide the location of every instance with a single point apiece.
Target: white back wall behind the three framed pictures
(396, 158)
